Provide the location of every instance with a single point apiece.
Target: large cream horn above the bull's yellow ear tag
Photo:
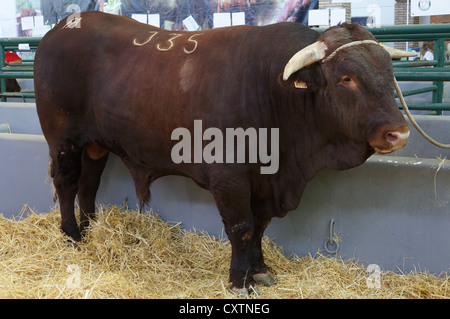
(312, 53)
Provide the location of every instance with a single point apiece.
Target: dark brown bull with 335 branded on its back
(109, 84)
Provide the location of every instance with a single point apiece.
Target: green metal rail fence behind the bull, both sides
(436, 71)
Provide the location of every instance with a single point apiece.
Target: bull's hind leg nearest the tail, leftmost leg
(65, 171)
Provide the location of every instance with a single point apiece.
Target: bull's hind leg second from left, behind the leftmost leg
(93, 161)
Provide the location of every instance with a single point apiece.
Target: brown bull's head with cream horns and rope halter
(359, 83)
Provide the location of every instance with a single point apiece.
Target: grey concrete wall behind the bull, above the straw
(392, 211)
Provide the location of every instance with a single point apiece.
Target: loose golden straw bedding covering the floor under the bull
(137, 255)
